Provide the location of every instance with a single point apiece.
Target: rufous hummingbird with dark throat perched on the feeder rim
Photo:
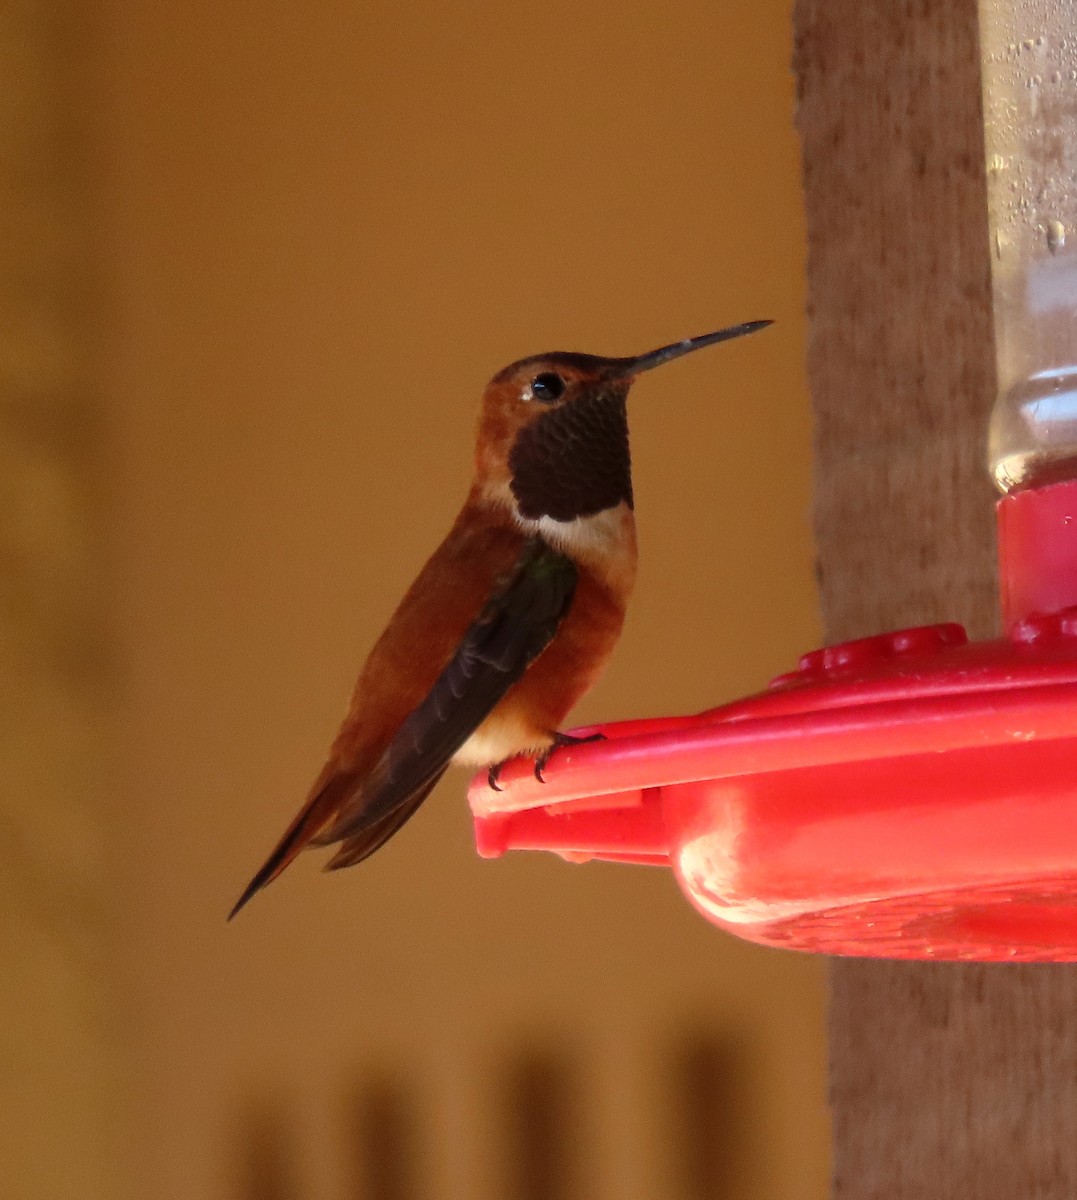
(510, 621)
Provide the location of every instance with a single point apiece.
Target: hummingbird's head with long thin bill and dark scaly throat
(553, 436)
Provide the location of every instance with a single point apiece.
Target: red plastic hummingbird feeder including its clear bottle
(912, 795)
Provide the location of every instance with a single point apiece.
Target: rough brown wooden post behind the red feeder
(946, 1081)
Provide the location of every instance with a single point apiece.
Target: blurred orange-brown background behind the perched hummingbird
(258, 265)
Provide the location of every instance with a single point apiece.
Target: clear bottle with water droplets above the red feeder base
(1030, 53)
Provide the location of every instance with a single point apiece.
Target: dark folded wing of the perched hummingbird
(513, 631)
